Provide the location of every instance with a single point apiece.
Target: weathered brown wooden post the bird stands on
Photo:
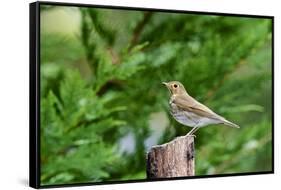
(173, 159)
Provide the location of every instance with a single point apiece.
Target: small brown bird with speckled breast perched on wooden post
(189, 112)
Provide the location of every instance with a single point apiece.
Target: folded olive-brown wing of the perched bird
(188, 103)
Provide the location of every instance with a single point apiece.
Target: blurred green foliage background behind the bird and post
(103, 105)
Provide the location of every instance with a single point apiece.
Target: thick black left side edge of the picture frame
(34, 162)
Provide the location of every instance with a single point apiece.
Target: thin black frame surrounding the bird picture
(34, 91)
